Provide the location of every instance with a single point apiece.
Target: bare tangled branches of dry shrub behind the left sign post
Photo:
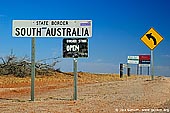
(21, 67)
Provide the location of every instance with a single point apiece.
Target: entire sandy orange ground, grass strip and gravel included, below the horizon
(97, 93)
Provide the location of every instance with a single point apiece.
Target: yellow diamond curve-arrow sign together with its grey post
(151, 39)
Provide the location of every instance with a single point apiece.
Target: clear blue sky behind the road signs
(117, 28)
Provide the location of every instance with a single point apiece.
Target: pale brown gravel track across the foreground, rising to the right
(134, 96)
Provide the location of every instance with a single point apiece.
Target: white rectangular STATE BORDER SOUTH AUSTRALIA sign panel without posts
(52, 28)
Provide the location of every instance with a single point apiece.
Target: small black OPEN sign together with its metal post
(75, 48)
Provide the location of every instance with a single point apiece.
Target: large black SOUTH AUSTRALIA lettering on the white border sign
(52, 32)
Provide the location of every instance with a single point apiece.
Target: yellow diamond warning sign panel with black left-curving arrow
(151, 38)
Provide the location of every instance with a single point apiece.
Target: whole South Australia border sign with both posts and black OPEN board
(56, 28)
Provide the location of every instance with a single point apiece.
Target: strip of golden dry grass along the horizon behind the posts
(65, 77)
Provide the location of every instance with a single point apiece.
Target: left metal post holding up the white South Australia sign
(32, 68)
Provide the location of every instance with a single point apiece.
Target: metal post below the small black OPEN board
(75, 78)
